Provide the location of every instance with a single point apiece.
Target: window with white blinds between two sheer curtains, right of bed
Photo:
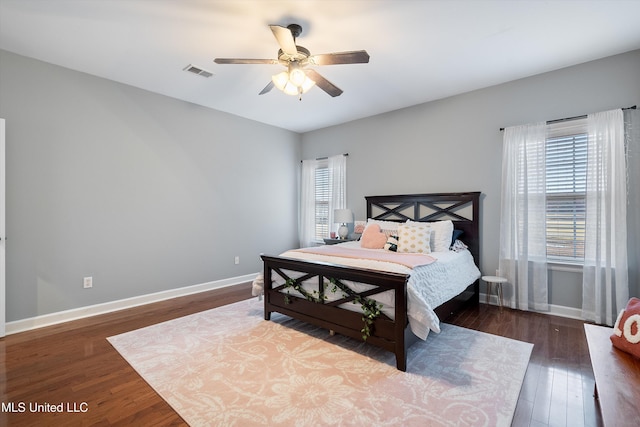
(566, 171)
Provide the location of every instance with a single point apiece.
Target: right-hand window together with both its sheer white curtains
(566, 182)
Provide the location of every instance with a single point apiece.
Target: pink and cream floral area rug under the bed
(230, 367)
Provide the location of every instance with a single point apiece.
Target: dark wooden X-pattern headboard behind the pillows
(463, 209)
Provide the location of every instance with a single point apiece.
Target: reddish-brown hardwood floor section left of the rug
(73, 363)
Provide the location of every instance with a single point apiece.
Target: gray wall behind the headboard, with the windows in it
(455, 144)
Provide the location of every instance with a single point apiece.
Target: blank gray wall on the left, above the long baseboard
(143, 192)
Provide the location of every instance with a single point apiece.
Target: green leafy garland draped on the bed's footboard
(371, 309)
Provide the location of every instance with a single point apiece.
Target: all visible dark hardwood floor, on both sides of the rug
(73, 364)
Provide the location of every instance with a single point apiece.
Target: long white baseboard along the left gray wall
(93, 310)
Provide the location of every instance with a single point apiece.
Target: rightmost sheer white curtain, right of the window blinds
(605, 282)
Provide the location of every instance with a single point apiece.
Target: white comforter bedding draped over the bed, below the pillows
(429, 286)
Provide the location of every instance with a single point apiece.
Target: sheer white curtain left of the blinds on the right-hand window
(522, 258)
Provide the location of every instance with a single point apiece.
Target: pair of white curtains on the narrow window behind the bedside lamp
(337, 168)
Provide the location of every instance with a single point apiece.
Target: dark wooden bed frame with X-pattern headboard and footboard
(391, 334)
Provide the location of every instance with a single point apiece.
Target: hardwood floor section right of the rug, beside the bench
(558, 387)
